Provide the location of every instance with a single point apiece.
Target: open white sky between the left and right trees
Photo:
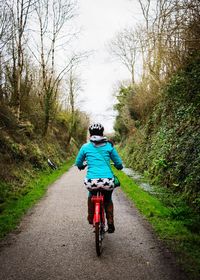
(100, 20)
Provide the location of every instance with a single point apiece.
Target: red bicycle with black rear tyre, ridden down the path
(99, 220)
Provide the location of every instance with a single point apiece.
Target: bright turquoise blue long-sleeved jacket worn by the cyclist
(98, 160)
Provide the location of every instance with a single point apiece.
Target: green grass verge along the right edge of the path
(173, 223)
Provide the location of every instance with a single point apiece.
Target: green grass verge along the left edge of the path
(15, 208)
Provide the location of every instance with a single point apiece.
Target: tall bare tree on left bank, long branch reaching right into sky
(52, 18)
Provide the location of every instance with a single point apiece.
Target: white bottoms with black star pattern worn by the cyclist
(103, 183)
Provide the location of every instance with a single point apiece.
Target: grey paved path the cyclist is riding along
(55, 242)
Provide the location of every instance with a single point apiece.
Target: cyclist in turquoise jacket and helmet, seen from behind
(98, 152)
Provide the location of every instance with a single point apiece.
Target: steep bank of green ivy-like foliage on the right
(168, 145)
